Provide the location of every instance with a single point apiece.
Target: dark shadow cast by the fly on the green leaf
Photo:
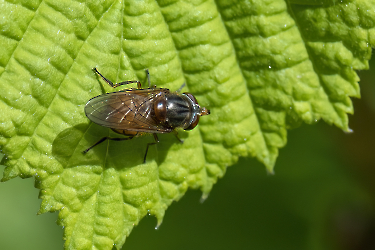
(69, 144)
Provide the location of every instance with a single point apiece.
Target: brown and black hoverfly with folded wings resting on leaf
(134, 112)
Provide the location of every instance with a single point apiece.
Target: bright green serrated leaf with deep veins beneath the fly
(261, 67)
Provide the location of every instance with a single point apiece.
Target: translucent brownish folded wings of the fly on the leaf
(126, 110)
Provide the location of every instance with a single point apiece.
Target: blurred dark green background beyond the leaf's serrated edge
(322, 196)
